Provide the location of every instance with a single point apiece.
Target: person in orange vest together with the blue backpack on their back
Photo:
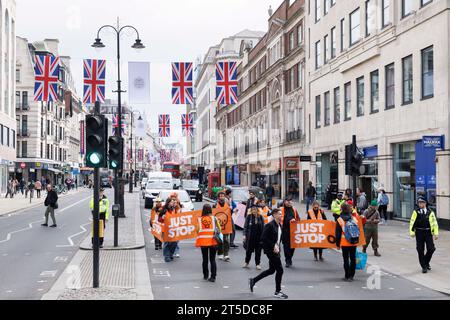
(346, 236)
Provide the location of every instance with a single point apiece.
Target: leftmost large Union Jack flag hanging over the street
(46, 73)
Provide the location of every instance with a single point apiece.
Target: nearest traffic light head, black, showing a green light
(96, 144)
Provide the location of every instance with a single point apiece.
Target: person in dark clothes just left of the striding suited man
(253, 229)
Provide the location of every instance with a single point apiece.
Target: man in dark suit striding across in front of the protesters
(271, 242)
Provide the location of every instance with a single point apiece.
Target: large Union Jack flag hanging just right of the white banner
(182, 85)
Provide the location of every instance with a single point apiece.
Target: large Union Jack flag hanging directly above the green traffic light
(94, 80)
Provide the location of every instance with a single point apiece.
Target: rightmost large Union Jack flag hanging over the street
(226, 83)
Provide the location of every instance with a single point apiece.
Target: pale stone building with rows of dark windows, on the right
(379, 69)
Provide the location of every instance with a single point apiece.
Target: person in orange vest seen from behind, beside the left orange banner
(207, 226)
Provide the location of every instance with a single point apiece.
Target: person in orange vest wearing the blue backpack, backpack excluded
(348, 249)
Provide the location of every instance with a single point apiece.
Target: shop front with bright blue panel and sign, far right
(415, 174)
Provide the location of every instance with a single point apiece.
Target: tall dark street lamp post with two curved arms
(118, 193)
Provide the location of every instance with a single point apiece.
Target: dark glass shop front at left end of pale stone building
(327, 173)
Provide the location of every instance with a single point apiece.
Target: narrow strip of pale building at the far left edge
(7, 90)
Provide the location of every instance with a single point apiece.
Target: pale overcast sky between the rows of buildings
(172, 31)
